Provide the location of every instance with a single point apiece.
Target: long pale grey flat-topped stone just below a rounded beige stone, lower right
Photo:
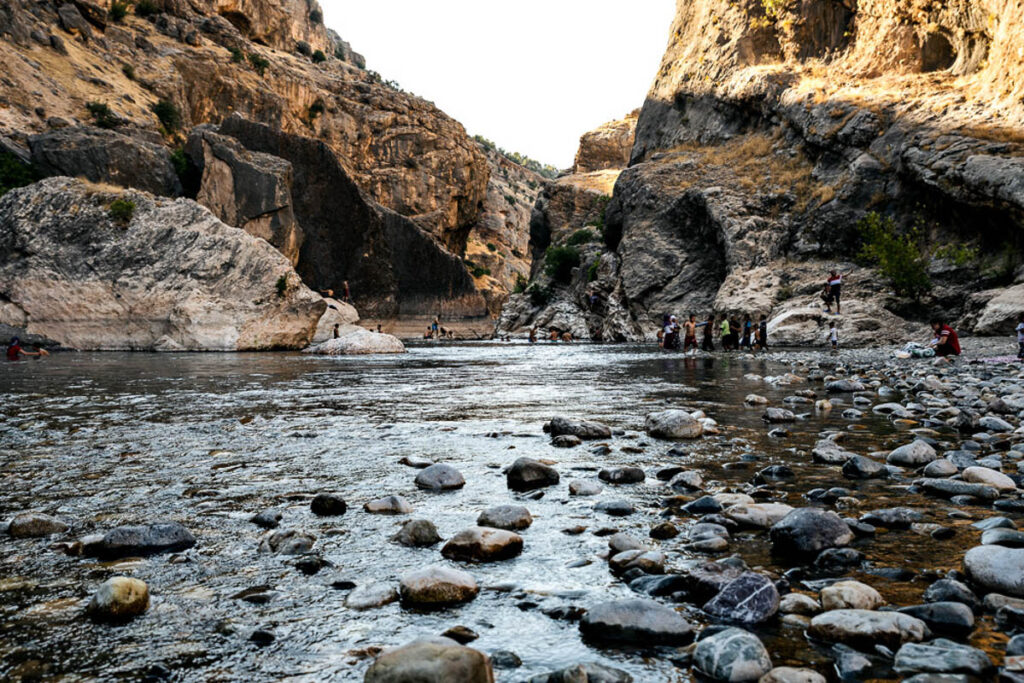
(865, 629)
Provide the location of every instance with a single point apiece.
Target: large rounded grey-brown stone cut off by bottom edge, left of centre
(431, 661)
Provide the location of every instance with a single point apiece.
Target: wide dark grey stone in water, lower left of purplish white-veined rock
(636, 621)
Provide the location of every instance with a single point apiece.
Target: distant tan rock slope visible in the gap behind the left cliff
(499, 243)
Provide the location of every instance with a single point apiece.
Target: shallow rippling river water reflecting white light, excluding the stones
(211, 440)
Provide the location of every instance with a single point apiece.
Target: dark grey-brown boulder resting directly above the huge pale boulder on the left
(130, 159)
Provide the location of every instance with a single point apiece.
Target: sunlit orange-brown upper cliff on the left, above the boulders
(204, 60)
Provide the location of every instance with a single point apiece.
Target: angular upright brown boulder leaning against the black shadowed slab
(247, 190)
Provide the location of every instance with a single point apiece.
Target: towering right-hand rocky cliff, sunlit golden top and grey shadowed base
(774, 129)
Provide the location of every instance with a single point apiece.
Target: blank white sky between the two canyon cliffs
(531, 75)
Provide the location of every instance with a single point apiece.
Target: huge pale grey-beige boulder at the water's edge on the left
(160, 276)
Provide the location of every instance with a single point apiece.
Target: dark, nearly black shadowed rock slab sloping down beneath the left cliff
(394, 268)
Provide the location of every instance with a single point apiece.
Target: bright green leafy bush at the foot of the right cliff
(900, 258)
